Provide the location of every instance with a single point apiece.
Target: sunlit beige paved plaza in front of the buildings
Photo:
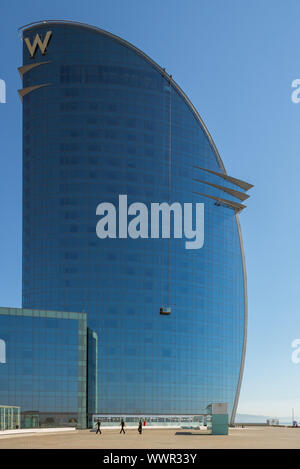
(250, 437)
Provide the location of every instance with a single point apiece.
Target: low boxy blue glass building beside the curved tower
(43, 366)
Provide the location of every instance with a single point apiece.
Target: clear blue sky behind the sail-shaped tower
(236, 61)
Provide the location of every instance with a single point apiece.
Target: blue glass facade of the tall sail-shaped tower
(109, 121)
